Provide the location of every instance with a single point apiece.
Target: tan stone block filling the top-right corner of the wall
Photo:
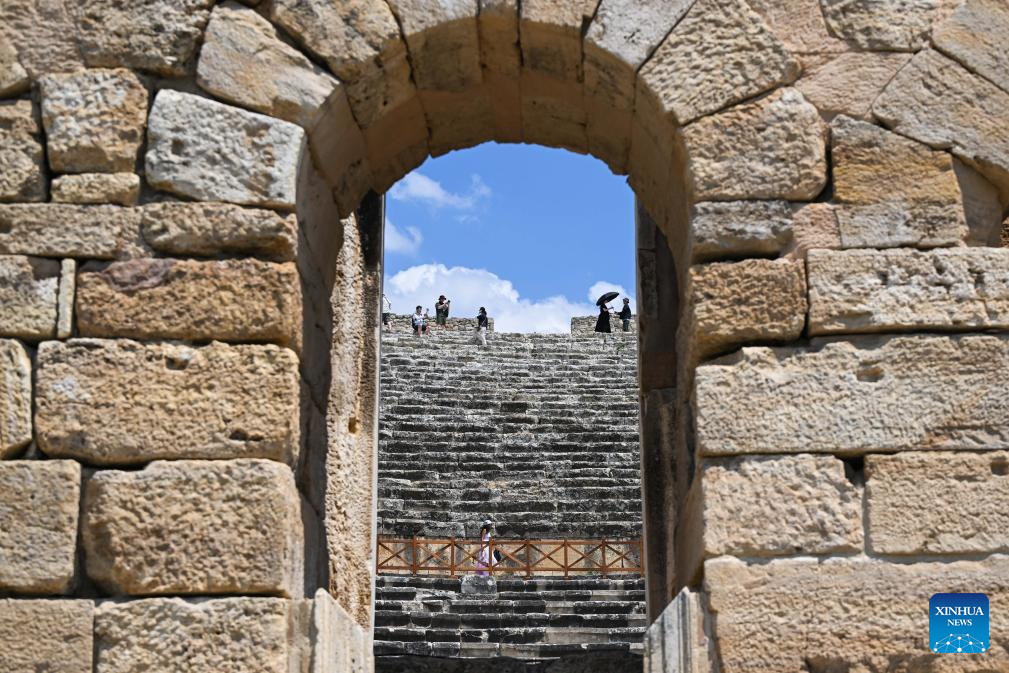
(976, 36)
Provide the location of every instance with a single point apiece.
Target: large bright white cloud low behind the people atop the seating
(470, 289)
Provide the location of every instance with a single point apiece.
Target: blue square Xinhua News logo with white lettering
(958, 623)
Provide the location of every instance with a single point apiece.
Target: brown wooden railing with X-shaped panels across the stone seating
(426, 556)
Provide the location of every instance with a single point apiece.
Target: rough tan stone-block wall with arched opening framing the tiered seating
(191, 240)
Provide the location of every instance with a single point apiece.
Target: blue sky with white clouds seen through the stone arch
(534, 235)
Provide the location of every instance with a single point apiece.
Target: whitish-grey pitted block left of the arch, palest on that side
(212, 152)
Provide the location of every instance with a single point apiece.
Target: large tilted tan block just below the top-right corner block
(938, 102)
